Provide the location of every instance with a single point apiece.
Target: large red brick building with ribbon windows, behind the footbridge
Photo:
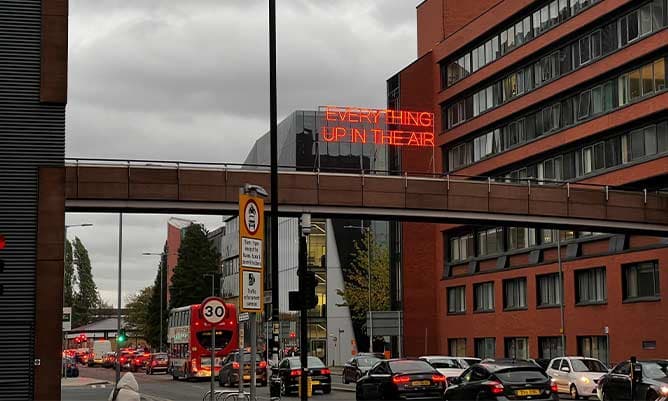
(547, 91)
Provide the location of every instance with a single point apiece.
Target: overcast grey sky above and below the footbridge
(189, 80)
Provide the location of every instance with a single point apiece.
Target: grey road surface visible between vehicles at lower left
(162, 387)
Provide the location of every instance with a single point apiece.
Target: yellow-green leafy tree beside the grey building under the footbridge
(356, 292)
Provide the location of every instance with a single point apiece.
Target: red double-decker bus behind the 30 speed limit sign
(189, 341)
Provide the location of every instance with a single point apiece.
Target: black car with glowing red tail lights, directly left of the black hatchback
(396, 379)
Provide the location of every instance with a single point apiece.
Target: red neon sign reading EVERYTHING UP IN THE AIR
(377, 126)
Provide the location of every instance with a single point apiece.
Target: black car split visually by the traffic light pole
(288, 373)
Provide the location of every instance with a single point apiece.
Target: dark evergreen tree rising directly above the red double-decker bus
(197, 256)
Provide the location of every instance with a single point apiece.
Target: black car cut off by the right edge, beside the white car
(651, 382)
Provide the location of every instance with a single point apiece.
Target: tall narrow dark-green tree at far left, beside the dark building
(87, 298)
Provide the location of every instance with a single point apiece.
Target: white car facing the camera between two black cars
(576, 376)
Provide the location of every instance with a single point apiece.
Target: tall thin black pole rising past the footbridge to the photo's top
(274, 179)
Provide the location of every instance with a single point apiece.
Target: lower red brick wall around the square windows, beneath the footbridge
(651, 317)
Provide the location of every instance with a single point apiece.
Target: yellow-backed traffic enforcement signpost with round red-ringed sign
(251, 270)
